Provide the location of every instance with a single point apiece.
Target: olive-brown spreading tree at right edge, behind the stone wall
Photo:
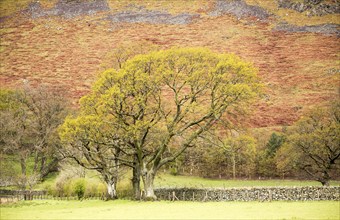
(313, 144)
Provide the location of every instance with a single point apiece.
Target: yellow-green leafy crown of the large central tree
(177, 88)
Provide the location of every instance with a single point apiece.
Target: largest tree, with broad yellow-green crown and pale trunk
(158, 104)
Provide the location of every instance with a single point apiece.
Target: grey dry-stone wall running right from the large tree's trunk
(250, 194)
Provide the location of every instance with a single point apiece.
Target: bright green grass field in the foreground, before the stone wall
(121, 209)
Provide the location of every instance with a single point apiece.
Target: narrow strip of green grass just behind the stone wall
(165, 180)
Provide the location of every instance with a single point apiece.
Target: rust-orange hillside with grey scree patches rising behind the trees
(63, 43)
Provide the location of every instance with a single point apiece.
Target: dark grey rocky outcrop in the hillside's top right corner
(311, 7)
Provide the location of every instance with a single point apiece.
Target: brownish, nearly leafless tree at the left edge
(29, 121)
